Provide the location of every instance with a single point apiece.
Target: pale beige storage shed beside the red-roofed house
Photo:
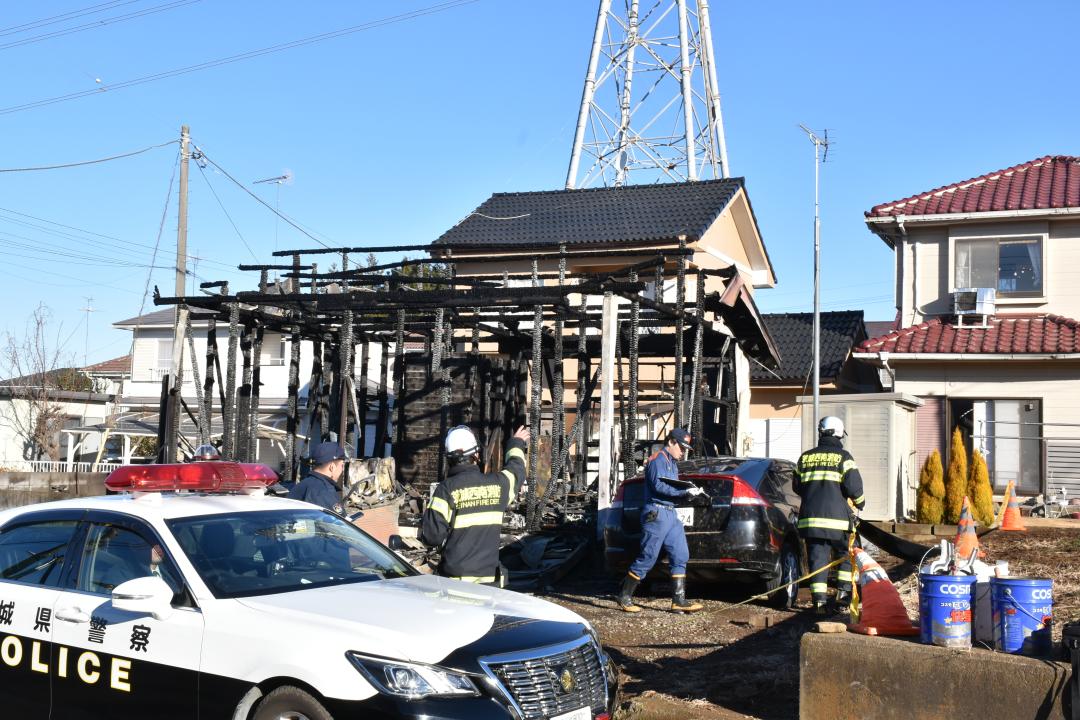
(882, 438)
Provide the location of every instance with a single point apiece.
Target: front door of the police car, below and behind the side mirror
(117, 664)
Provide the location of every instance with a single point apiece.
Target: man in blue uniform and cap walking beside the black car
(661, 526)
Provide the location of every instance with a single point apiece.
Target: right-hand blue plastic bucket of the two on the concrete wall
(1022, 615)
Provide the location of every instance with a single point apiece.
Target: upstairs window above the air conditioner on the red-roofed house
(1011, 266)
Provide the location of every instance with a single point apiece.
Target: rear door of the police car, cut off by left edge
(33, 550)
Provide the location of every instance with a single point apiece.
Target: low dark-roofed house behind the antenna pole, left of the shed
(776, 412)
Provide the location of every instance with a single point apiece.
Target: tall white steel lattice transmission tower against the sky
(652, 104)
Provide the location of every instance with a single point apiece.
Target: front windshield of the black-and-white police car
(260, 553)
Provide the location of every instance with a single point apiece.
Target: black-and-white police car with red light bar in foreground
(195, 595)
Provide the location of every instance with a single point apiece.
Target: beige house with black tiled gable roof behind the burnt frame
(714, 219)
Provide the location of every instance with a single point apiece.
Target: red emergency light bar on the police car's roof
(205, 477)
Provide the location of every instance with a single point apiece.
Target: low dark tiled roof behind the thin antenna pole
(793, 334)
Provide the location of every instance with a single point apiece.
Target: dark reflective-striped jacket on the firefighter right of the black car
(826, 479)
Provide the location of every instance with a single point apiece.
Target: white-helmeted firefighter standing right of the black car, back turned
(827, 479)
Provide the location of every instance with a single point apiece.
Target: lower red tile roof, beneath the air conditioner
(1006, 335)
